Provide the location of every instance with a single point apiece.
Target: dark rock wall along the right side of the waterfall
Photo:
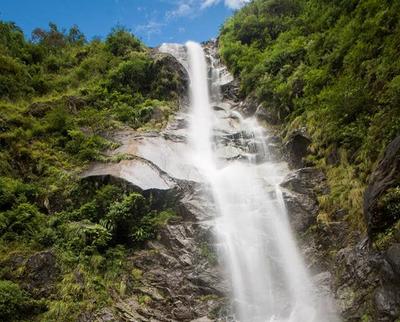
(363, 276)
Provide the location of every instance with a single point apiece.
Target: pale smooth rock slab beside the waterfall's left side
(151, 160)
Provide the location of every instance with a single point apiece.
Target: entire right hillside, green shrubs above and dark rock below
(326, 75)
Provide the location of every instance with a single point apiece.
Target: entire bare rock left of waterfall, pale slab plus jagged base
(178, 276)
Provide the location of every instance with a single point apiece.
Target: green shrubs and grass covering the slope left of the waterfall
(60, 95)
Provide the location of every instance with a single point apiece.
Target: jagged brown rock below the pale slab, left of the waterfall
(175, 277)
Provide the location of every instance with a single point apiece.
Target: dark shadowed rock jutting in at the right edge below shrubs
(385, 176)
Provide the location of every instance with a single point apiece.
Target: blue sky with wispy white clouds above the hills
(154, 21)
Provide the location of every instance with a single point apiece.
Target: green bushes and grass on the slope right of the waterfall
(331, 66)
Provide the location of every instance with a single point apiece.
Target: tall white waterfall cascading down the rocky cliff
(256, 247)
